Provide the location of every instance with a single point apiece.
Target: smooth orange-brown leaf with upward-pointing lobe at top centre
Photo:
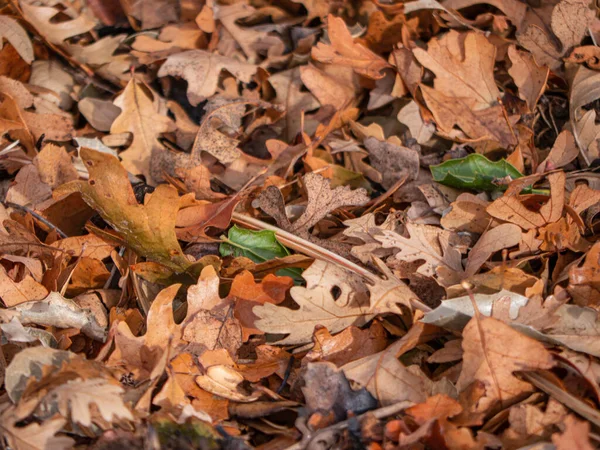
(344, 51)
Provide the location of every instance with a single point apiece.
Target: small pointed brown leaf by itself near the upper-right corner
(529, 77)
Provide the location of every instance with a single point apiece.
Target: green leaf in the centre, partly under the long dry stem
(259, 246)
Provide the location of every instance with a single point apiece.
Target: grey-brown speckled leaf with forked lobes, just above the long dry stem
(322, 200)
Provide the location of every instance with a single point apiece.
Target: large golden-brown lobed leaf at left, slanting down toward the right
(148, 229)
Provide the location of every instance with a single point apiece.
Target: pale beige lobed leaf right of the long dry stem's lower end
(431, 244)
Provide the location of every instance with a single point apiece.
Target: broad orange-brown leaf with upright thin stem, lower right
(489, 360)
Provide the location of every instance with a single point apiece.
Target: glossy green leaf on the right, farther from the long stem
(474, 172)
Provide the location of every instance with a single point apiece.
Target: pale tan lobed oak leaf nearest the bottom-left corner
(75, 398)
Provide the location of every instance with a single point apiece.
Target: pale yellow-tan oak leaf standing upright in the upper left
(141, 118)
